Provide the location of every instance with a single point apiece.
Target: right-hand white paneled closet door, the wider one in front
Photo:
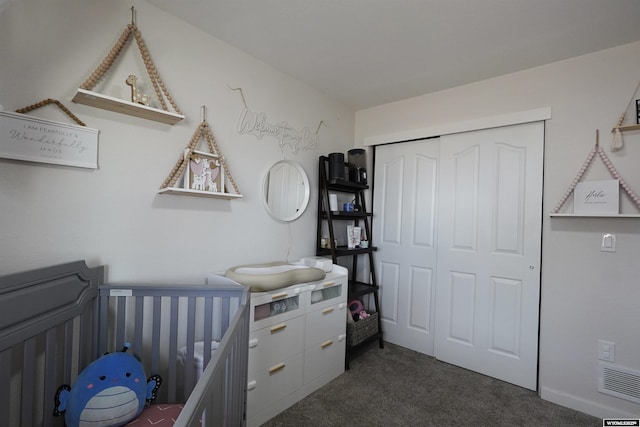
(489, 232)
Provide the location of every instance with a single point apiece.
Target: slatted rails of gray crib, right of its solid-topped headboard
(158, 320)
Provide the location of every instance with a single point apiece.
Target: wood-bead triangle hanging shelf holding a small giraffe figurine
(139, 104)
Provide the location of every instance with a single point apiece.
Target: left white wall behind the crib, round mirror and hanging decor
(114, 216)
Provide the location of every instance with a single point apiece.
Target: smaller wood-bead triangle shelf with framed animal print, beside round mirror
(199, 173)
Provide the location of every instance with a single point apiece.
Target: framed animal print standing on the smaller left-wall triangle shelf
(204, 173)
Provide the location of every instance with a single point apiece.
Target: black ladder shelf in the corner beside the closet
(360, 217)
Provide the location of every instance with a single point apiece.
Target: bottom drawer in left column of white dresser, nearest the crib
(271, 383)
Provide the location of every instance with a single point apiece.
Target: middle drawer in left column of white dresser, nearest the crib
(276, 342)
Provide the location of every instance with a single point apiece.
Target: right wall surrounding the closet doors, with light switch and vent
(586, 294)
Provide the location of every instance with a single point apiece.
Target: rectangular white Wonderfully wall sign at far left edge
(33, 139)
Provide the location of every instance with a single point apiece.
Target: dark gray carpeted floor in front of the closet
(395, 386)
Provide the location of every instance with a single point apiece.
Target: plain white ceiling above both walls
(370, 52)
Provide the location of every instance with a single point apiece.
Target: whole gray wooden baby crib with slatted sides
(54, 321)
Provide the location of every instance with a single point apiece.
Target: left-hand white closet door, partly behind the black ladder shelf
(404, 201)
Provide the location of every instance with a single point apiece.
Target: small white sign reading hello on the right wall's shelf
(597, 197)
